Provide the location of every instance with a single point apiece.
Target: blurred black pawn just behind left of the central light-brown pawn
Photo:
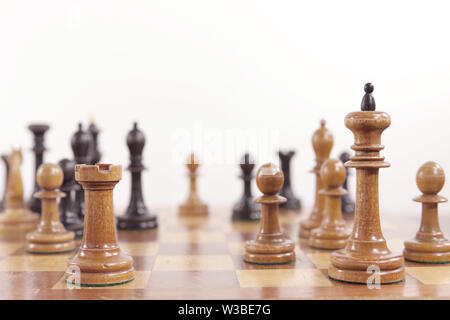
(245, 208)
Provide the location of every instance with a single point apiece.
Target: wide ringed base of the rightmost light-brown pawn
(427, 252)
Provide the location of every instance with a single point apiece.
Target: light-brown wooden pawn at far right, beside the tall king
(430, 244)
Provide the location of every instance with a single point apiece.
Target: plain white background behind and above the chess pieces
(227, 65)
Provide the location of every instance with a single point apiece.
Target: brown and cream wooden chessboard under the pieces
(196, 258)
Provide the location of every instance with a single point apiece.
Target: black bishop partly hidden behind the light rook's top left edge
(81, 141)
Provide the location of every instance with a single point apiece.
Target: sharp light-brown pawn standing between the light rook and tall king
(270, 246)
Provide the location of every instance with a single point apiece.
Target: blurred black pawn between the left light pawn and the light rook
(69, 218)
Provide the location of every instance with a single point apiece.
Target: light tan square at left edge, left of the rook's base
(35, 263)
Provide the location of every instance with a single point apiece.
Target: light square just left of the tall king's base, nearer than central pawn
(282, 278)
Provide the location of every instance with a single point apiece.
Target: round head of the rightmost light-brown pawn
(430, 178)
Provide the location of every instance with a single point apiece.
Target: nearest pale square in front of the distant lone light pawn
(193, 236)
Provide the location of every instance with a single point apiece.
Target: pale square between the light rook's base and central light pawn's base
(193, 262)
